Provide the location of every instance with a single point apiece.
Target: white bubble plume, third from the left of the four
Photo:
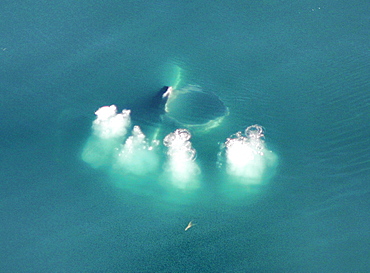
(180, 168)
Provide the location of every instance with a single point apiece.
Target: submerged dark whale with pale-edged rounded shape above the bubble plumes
(179, 105)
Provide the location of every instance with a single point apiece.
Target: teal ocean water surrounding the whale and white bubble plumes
(298, 68)
